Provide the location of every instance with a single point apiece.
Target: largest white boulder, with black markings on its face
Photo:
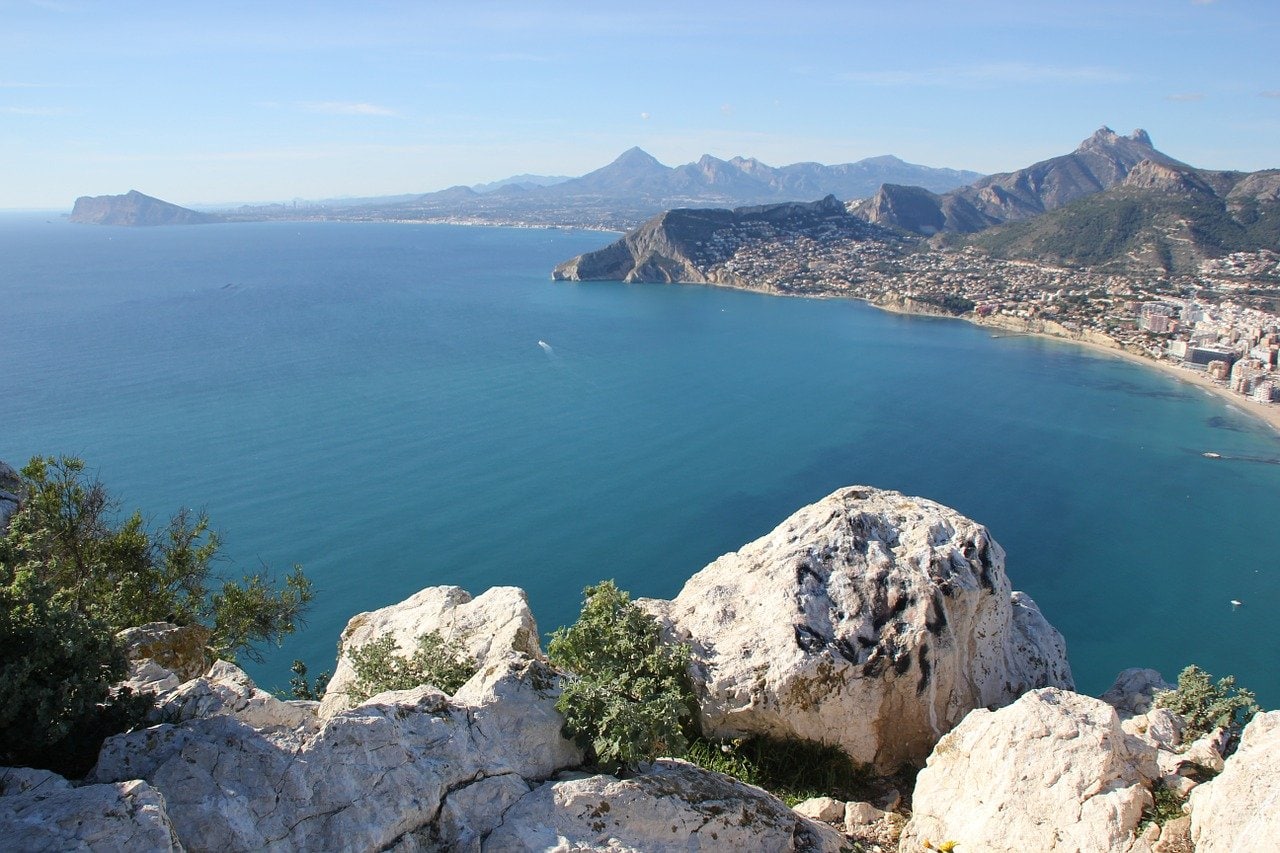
(870, 621)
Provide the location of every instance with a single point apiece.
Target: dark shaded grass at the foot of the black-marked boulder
(793, 770)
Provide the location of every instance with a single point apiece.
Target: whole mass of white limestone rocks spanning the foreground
(881, 623)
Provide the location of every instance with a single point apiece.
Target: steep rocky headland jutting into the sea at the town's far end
(682, 245)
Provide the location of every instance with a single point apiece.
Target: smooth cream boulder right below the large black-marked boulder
(1053, 772)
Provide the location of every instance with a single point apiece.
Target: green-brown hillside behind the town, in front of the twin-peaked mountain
(1164, 217)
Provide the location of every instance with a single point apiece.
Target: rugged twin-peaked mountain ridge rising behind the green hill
(1101, 162)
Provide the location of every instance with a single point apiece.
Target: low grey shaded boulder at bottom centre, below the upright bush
(673, 806)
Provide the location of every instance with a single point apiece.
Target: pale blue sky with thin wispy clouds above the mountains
(222, 103)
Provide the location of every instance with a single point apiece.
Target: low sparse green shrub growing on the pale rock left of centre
(440, 663)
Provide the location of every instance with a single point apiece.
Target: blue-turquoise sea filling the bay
(373, 403)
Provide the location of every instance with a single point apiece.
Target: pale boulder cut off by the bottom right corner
(1240, 811)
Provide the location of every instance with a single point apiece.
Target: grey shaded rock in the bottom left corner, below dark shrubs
(42, 811)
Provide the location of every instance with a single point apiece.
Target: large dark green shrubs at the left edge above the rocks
(72, 576)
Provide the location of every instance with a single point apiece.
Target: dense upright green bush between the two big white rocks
(628, 695)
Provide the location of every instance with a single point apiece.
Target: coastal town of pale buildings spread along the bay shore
(1220, 327)
